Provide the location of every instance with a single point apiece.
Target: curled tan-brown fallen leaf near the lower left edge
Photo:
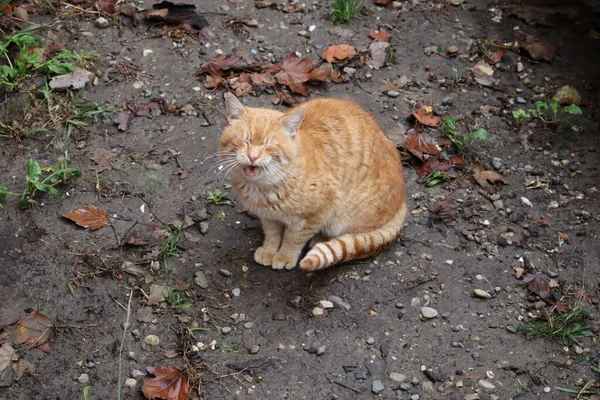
(32, 330)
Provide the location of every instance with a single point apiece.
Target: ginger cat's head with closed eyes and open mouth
(259, 144)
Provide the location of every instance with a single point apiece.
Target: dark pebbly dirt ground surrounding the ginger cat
(473, 349)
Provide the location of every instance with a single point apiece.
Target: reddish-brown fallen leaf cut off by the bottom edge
(169, 383)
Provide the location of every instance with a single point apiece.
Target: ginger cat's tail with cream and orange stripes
(353, 246)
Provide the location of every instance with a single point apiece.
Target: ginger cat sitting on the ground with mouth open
(323, 169)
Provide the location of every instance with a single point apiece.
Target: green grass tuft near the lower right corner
(570, 325)
